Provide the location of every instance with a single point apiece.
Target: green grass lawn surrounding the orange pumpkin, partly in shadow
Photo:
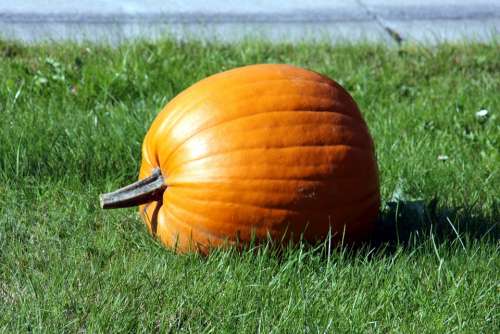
(72, 121)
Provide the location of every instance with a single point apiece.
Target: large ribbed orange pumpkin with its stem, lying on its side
(257, 152)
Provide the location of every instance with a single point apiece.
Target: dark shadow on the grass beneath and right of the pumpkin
(408, 225)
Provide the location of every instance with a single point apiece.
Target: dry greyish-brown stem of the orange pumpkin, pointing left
(141, 192)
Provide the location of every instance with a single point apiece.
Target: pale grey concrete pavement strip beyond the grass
(352, 20)
